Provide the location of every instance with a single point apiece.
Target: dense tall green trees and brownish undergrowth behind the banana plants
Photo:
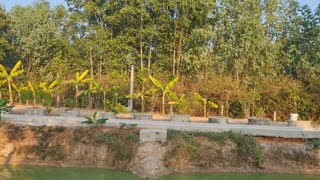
(250, 57)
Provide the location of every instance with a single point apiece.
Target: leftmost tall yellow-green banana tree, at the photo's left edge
(8, 77)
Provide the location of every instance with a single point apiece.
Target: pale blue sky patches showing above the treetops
(8, 4)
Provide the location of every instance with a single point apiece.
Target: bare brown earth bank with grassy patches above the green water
(109, 147)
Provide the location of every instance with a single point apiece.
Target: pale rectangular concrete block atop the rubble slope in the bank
(153, 135)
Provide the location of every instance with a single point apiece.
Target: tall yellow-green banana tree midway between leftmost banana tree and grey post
(80, 80)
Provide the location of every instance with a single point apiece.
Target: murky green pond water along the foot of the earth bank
(51, 173)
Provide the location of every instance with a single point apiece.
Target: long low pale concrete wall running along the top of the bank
(256, 130)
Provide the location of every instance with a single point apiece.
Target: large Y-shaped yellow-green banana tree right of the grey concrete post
(164, 89)
